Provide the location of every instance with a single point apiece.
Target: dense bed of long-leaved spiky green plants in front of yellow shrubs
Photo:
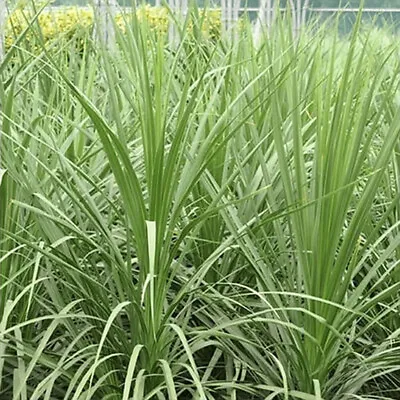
(208, 221)
